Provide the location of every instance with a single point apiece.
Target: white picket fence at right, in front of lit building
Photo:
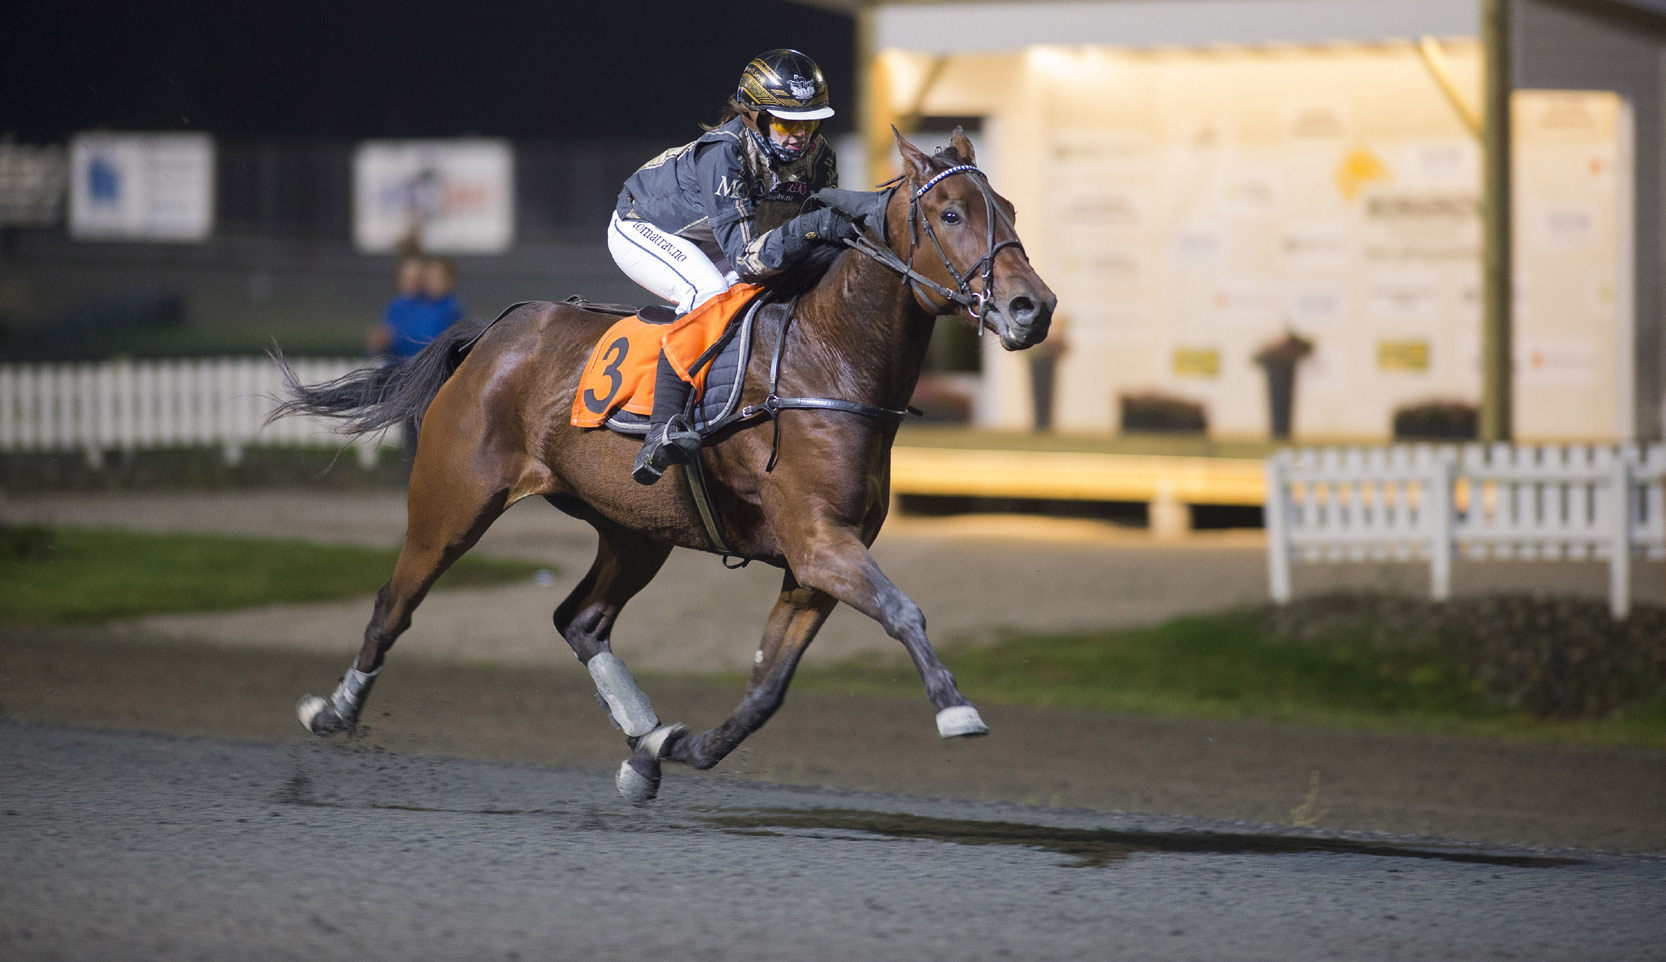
(1434, 504)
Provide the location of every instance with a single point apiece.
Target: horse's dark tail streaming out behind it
(372, 399)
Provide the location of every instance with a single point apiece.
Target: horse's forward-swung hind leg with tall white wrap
(626, 564)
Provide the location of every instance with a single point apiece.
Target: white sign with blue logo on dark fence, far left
(142, 188)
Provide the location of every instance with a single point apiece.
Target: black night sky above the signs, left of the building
(409, 69)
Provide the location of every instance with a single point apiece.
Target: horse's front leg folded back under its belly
(794, 623)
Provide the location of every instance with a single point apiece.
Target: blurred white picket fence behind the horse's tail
(99, 408)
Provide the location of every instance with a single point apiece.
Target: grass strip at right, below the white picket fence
(1229, 666)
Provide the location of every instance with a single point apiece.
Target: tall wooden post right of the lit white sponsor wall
(1497, 423)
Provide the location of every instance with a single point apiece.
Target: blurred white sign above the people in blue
(456, 196)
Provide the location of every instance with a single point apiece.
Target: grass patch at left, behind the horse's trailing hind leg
(86, 576)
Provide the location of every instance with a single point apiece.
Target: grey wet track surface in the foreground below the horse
(131, 846)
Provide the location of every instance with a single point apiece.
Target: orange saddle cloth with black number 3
(622, 368)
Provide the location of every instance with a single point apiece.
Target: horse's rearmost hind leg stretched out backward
(447, 511)
